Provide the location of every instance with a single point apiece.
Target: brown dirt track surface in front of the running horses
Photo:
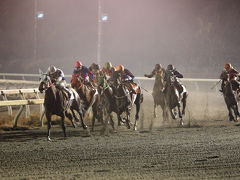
(197, 152)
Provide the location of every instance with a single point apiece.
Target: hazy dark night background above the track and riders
(197, 36)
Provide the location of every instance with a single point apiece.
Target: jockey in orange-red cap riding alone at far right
(231, 74)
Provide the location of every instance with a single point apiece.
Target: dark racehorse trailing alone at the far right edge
(230, 100)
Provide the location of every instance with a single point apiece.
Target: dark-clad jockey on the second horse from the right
(171, 72)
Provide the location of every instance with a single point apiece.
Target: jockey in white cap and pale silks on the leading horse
(57, 76)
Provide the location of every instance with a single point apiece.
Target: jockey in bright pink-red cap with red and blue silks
(83, 72)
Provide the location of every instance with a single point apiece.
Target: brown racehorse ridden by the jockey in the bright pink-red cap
(91, 99)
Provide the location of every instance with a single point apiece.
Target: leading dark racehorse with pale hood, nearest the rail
(56, 102)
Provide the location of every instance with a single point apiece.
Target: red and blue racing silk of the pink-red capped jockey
(84, 73)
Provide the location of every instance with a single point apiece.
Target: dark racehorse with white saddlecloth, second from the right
(176, 94)
